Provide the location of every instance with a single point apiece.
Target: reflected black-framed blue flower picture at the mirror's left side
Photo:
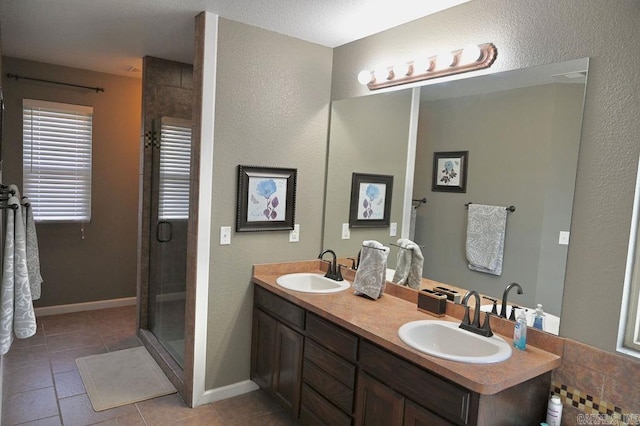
(370, 200)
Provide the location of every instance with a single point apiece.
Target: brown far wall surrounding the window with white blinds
(102, 265)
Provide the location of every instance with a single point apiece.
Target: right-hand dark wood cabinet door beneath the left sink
(287, 377)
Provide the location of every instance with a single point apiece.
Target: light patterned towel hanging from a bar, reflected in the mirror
(486, 228)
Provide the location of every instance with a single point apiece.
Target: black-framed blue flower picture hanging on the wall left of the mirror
(266, 199)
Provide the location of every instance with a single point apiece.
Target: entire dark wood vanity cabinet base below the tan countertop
(326, 375)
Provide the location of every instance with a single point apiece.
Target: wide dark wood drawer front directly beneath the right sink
(434, 393)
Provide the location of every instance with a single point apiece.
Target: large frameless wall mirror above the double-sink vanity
(522, 131)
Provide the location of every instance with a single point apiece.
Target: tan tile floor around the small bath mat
(42, 385)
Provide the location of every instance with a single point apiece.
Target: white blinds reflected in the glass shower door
(175, 163)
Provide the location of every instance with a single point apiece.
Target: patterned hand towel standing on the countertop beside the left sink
(370, 278)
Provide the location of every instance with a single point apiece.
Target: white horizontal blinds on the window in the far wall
(57, 160)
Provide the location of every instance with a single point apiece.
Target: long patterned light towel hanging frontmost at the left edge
(17, 316)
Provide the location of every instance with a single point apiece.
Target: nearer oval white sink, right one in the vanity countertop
(444, 339)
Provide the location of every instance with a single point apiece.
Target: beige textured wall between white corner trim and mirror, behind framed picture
(272, 109)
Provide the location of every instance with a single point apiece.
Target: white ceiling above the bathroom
(113, 35)
